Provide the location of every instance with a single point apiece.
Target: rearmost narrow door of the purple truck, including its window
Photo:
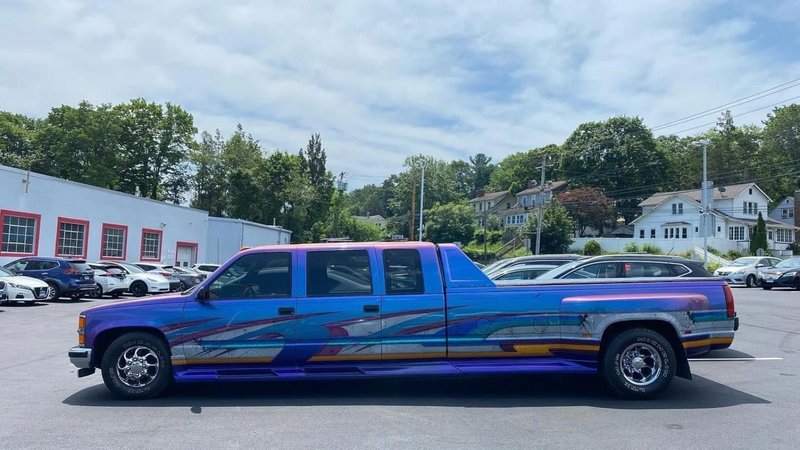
(413, 319)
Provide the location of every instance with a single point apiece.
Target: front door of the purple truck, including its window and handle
(247, 317)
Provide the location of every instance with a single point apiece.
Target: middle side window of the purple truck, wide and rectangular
(338, 272)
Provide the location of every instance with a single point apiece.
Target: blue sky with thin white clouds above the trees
(383, 80)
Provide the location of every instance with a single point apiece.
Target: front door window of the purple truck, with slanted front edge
(257, 275)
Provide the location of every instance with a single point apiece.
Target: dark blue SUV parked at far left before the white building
(71, 278)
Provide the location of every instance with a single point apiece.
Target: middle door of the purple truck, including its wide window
(339, 315)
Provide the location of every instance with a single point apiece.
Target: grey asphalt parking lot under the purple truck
(730, 404)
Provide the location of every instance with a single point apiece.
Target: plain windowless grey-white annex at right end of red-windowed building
(228, 236)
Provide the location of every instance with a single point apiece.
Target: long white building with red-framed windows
(47, 216)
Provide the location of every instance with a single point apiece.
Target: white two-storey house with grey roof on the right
(675, 219)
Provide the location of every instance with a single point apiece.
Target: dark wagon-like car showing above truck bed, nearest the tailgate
(628, 266)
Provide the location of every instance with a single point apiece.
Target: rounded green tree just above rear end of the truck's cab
(450, 222)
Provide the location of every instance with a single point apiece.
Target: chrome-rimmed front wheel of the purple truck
(154, 379)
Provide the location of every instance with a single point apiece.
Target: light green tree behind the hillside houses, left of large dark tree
(515, 171)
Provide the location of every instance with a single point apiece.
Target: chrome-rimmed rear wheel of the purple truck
(655, 351)
